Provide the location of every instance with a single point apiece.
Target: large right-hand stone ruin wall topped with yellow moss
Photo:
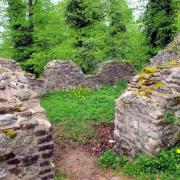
(140, 125)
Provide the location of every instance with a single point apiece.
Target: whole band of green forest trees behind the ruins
(87, 32)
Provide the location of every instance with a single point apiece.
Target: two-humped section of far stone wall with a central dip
(67, 75)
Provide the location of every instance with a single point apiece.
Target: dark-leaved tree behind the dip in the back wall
(86, 17)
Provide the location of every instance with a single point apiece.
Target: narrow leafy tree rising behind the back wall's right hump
(117, 27)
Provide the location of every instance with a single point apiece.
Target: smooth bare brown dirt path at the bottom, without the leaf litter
(80, 165)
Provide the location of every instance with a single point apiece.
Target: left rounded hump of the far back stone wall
(62, 75)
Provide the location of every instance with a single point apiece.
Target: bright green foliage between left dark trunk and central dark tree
(53, 37)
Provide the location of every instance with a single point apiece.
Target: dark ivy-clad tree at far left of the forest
(21, 32)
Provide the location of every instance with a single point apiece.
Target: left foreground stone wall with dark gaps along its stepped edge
(26, 146)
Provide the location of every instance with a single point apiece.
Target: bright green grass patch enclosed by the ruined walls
(76, 111)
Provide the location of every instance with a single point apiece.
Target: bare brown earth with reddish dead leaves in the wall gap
(79, 161)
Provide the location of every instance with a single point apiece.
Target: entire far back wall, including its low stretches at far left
(60, 75)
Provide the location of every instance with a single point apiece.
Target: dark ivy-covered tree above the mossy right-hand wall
(159, 21)
